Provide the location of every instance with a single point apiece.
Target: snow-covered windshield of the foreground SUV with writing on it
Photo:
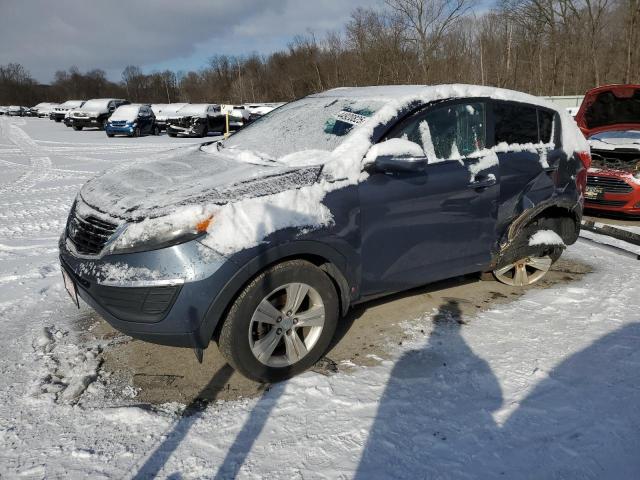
(312, 123)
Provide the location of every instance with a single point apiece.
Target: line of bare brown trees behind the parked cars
(545, 47)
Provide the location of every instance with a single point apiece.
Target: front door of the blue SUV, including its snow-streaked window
(423, 226)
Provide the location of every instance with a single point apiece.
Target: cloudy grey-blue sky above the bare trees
(48, 35)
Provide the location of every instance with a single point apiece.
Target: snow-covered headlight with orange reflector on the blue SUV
(154, 234)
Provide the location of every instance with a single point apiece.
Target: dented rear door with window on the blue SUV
(526, 142)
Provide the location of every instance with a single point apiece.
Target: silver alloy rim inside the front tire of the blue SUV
(286, 325)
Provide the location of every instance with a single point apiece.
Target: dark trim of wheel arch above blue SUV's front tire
(324, 257)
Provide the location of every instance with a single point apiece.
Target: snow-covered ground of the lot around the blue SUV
(543, 387)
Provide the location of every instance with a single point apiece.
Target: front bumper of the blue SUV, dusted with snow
(160, 296)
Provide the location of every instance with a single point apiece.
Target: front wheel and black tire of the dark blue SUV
(281, 323)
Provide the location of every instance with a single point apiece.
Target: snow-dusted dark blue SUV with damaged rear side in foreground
(263, 242)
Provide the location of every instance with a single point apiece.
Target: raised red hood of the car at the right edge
(609, 108)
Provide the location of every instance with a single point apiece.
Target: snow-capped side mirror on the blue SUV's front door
(398, 155)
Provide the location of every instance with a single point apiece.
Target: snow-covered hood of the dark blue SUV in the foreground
(189, 176)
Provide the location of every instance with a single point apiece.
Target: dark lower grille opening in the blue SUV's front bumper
(137, 304)
